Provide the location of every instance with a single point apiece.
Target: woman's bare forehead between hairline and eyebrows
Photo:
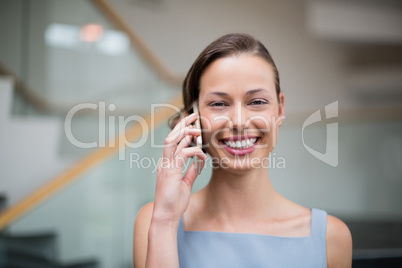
(237, 74)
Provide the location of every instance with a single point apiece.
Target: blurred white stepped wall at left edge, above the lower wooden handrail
(29, 149)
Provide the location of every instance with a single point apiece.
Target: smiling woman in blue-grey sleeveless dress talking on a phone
(238, 219)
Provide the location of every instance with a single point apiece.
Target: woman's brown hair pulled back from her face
(227, 45)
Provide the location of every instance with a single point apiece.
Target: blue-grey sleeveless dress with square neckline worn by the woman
(202, 249)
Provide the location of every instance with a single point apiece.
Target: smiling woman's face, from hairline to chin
(240, 113)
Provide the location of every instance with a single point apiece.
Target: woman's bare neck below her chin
(232, 196)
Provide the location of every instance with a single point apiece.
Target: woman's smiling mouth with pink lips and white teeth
(239, 145)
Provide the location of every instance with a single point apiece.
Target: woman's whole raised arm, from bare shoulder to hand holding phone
(155, 231)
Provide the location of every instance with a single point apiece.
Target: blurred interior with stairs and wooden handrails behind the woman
(66, 206)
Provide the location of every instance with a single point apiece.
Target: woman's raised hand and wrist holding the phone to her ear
(173, 190)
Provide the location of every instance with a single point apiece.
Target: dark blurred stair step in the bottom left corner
(41, 246)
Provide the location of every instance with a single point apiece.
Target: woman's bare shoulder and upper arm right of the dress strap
(339, 243)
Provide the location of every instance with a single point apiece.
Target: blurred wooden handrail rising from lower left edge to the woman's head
(69, 176)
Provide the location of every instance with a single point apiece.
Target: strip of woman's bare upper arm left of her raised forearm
(141, 227)
